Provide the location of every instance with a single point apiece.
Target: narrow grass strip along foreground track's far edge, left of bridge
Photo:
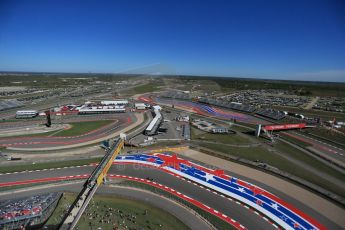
(47, 165)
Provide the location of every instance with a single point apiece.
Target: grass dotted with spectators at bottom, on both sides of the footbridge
(107, 212)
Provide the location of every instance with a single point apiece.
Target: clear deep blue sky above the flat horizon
(289, 39)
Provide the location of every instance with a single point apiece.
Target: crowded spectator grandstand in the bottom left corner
(29, 212)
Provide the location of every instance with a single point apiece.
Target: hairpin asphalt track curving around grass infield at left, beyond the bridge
(121, 120)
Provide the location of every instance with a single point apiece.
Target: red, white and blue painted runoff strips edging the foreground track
(274, 210)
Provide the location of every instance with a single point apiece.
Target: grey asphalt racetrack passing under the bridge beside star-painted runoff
(232, 209)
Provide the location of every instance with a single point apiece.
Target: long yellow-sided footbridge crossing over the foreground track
(93, 182)
